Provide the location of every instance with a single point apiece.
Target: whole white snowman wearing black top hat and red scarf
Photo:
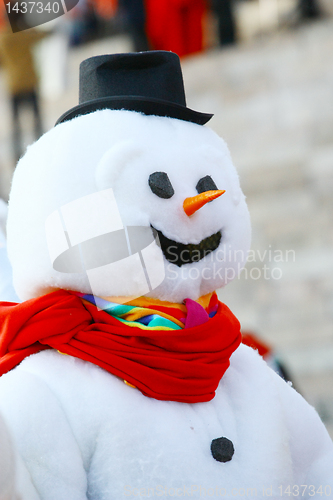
(122, 374)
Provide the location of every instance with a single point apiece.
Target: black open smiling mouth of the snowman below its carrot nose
(180, 254)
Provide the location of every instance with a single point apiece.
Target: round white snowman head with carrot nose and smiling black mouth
(100, 184)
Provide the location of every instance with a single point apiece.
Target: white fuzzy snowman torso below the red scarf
(83, 433)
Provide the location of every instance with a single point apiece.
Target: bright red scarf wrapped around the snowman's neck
(180, 365)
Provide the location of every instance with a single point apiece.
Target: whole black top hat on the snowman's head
(147, 82)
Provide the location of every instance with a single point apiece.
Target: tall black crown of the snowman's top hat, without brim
(150, 75)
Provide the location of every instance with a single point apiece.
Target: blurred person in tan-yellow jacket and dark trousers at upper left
(17, 60)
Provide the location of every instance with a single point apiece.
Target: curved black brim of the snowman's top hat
(140, 104)
